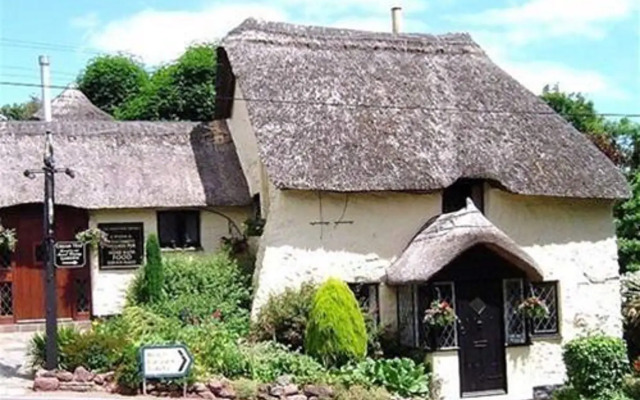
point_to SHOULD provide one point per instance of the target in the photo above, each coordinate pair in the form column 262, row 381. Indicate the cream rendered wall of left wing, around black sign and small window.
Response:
column 108, row 287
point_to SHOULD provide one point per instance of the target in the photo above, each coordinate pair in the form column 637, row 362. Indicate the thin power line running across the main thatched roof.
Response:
column 378, row 106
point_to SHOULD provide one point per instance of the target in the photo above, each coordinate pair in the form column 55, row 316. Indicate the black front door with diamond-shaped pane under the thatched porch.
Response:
column 480, row 337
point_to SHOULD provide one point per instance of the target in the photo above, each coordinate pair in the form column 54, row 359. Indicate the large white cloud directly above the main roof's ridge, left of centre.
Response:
column 160, row 36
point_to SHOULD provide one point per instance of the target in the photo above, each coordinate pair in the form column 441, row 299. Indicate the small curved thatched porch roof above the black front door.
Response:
column 449, row 236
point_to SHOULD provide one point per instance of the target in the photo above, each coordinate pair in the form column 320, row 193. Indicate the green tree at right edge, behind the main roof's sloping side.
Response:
column 620, row 141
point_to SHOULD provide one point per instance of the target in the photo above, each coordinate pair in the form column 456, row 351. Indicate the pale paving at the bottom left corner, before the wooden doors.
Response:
column 15, row 374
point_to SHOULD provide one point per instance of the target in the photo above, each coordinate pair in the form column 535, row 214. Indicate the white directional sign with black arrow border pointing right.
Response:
column 171, row 361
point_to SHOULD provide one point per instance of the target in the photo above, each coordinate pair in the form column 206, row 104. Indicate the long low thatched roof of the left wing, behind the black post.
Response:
column 125, row 164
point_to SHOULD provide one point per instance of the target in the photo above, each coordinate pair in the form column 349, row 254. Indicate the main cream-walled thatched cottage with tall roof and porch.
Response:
column 414, row 166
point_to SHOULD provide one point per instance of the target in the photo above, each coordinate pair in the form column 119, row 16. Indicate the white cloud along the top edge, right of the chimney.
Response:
column 543, row 19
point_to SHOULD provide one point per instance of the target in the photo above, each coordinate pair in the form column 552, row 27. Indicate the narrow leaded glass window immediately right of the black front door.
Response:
column 515, row 323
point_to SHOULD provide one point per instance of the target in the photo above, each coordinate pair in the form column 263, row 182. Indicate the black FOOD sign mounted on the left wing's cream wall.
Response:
column 125, row 246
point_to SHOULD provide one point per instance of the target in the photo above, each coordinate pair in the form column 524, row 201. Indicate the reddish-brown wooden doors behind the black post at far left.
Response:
column 72, row 285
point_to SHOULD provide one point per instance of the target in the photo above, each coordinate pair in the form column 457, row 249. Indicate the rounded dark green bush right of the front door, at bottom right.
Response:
column 596, row 365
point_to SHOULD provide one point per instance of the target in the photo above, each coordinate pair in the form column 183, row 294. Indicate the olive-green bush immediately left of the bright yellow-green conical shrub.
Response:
column 283, row 318
